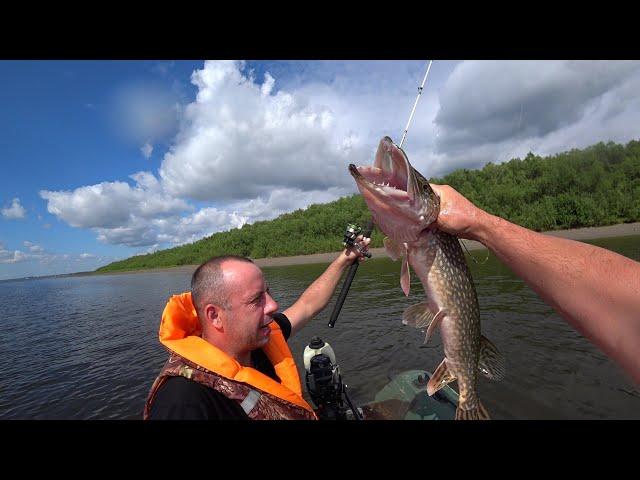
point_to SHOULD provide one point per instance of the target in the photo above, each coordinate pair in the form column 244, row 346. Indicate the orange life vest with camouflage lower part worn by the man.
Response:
column 180, row 333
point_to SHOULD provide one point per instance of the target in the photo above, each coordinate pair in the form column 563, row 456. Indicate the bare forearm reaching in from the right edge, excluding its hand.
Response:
column 595, row 290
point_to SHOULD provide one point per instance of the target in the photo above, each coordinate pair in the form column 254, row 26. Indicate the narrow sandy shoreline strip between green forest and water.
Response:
column 587, row 233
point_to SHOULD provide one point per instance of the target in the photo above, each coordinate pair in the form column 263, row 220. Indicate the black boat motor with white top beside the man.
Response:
column 324, row 383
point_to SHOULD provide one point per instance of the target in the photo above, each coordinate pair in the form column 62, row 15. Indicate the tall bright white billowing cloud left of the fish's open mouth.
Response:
column 240, row 141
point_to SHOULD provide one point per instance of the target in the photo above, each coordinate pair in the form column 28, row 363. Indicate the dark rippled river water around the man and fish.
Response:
column 87, row 347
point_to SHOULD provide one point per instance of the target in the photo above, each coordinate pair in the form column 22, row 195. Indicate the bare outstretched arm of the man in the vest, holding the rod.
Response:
column 316, row 297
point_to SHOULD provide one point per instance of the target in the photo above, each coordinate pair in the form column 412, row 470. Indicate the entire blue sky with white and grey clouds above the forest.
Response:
column 102, row 160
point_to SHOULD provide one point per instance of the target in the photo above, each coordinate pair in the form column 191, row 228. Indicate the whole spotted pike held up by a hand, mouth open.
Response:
column 404, row 206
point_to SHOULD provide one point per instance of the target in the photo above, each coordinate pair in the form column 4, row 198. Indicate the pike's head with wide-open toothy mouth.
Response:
column 400, row 199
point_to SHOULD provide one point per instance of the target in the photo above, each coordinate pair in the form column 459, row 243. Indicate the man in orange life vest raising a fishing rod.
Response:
column 227, row 342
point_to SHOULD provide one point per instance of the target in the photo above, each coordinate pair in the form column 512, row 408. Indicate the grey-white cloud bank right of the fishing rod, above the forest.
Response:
column 497, row 110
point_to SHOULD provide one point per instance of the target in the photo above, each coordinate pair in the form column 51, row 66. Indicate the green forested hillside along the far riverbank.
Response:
column 599, row 185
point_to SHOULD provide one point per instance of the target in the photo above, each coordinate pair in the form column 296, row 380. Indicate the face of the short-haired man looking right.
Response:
column 251, row 307
